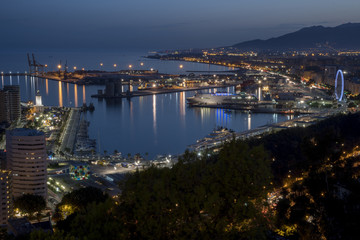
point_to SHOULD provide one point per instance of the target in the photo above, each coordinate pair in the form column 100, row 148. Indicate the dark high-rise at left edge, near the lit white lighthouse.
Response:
column 10, row 109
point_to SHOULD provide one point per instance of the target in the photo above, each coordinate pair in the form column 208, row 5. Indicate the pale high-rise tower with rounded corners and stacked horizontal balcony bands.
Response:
column 26, row 159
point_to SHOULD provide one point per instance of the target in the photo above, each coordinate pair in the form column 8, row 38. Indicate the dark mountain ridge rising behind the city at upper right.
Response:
column 345, row 36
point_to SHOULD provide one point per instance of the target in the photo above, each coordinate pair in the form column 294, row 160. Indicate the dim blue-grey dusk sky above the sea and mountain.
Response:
column 160, row 24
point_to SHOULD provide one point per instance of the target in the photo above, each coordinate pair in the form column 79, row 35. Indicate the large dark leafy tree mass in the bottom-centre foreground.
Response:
column 216, row 196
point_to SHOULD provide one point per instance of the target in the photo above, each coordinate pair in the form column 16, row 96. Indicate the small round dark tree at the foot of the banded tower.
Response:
column 30, row 204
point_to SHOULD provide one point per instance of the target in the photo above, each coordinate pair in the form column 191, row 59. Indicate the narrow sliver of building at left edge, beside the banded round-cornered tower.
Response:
column 5, row 196
